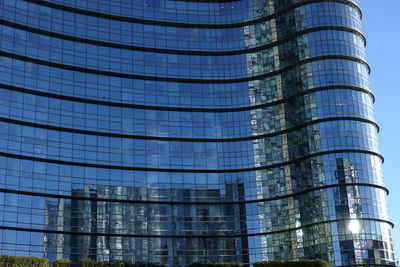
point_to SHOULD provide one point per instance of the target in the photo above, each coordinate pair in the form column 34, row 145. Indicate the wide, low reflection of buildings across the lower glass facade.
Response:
column 130, row 213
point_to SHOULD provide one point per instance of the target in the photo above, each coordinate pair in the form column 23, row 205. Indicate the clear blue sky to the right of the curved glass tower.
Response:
column 381, row 26
